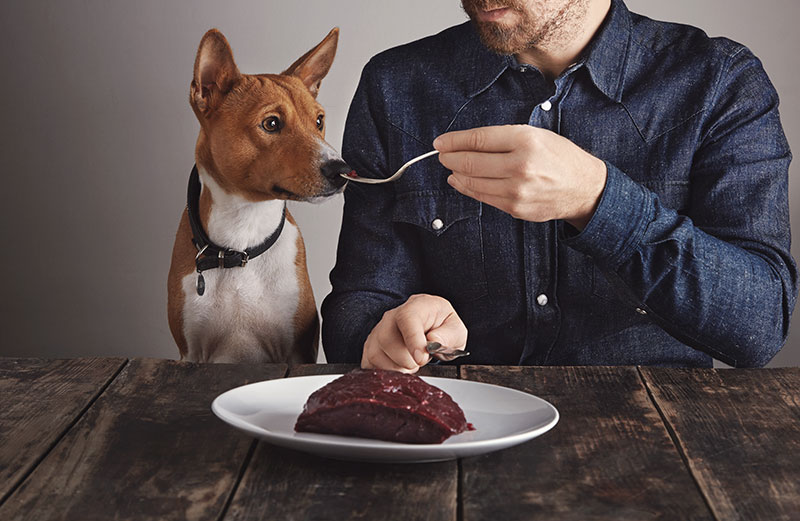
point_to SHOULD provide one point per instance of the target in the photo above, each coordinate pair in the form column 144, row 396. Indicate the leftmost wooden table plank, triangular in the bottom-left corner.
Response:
column 41, row 400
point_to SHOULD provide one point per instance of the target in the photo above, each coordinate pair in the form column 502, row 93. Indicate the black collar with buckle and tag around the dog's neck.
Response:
column 210, row 255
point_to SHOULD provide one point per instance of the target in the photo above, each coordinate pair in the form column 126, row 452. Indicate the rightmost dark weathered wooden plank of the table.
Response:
column 740, row 432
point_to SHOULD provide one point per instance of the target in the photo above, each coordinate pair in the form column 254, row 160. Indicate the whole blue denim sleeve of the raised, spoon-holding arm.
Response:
column 721, row 278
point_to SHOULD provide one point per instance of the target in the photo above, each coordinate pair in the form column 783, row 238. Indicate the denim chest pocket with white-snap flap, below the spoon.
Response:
column 447, row 226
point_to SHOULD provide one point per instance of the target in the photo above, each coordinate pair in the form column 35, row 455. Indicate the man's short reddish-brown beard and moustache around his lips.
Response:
column 530, row 30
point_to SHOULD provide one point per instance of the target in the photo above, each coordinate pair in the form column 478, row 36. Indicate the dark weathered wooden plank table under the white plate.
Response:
column 109, row 438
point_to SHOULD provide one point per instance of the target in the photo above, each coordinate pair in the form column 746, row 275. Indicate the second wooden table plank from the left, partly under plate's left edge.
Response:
column 149, row 448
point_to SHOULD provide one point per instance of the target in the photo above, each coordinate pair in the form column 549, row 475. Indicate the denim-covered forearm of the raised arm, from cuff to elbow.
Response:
column 731, row 299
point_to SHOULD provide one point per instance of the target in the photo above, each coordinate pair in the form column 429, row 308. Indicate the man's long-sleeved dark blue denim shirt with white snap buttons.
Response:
column 687, row 257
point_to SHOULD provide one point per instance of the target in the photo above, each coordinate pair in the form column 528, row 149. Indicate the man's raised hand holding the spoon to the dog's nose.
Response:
column 528, row 172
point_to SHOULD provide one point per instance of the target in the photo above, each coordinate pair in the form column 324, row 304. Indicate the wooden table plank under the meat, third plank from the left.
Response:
column 281, row 484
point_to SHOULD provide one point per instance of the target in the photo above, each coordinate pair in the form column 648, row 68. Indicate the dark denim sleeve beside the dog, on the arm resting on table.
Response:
column 377, row 264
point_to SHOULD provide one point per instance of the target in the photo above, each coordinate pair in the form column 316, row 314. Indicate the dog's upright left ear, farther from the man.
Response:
column 215, row 72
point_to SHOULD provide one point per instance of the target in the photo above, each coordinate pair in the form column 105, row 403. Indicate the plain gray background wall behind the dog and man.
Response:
column 97, row 140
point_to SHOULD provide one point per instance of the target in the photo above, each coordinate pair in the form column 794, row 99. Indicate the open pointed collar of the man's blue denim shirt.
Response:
column 605, row 57
